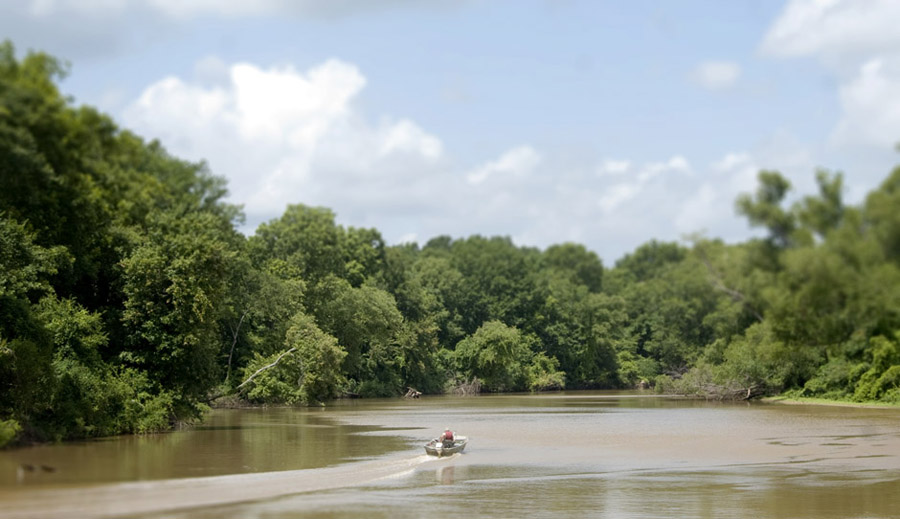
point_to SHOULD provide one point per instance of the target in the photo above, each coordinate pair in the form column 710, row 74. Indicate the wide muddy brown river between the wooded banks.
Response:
column 575, row 454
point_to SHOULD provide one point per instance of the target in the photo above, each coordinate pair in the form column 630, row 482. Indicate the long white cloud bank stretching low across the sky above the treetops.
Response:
column 284, row 135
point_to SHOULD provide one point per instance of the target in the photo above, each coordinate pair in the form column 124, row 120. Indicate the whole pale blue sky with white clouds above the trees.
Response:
column 601, row 122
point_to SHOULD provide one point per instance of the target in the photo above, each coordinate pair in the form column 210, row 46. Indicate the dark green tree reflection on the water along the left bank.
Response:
column 229, row 442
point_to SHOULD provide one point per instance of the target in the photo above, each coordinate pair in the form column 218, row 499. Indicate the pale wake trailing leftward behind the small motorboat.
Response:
column 148, row 497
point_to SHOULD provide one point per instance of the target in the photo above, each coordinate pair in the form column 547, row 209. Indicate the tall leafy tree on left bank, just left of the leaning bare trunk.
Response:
column 174, row 284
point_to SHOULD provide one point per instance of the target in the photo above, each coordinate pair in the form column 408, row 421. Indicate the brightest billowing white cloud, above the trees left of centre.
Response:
column 284, row 136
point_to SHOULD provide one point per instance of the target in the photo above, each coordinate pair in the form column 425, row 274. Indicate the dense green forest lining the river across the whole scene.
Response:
column 129, row 301
